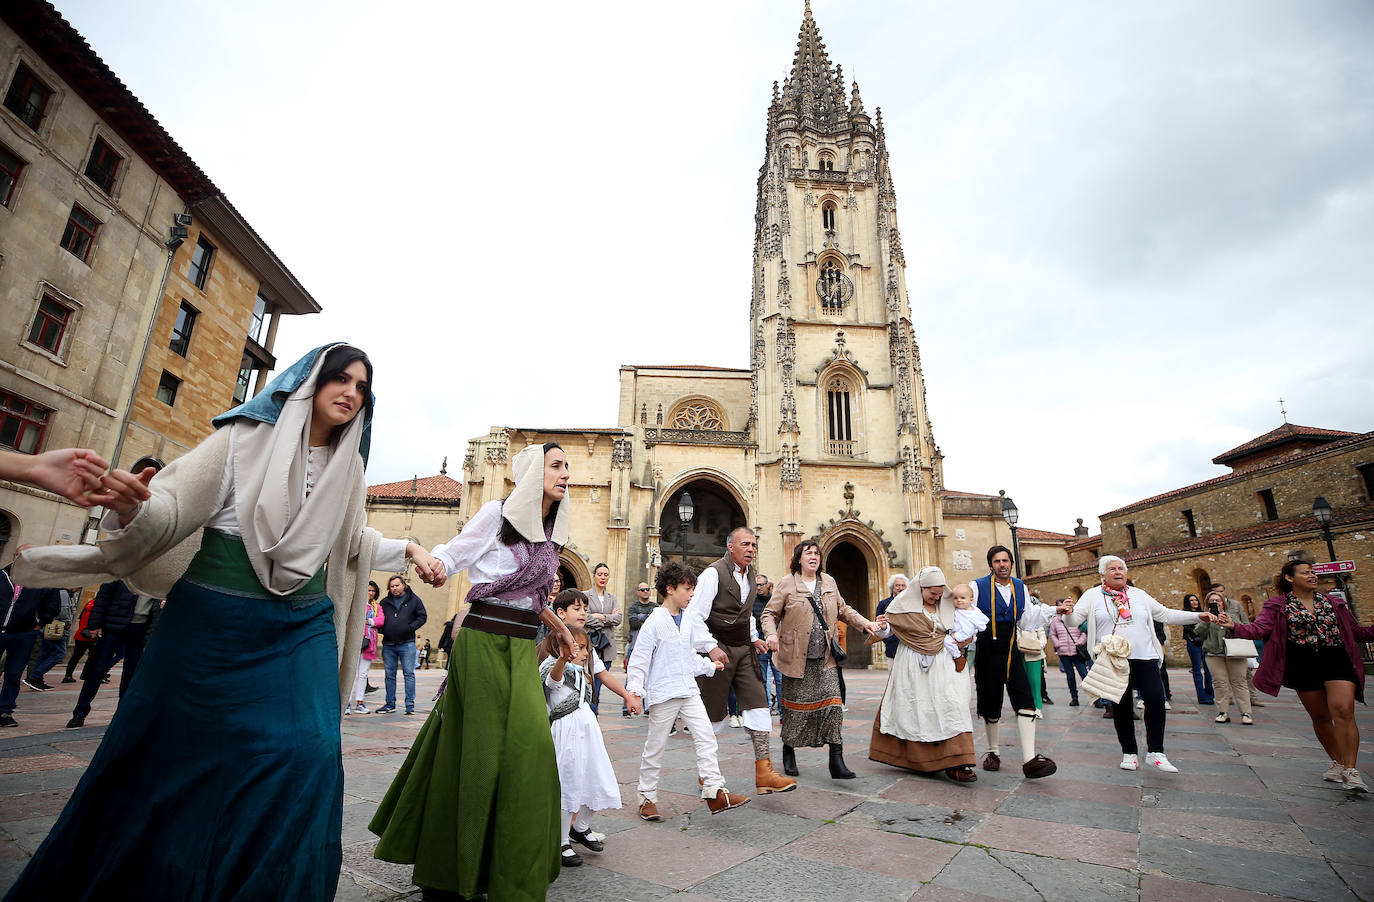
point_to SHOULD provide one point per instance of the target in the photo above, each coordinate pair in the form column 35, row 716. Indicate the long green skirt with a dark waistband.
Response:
column 476, row 805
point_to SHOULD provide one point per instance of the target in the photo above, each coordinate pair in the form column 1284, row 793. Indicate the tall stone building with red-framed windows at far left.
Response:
column 139, row 302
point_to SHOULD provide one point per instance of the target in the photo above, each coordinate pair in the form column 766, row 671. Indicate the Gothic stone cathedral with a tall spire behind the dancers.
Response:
column 826, row 434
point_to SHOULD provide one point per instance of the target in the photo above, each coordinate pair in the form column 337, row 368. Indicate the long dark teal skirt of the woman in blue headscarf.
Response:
column 221, row 776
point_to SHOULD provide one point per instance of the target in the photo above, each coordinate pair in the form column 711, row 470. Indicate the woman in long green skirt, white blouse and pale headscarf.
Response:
column 476, row 805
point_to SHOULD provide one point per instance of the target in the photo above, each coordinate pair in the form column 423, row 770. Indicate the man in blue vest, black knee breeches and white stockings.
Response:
column 998, row 663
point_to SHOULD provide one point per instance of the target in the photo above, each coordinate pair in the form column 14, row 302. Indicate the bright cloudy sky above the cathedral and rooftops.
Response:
column 1130, row 229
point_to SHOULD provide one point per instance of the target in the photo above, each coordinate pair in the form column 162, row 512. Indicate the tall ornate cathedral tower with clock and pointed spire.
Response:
column 846, row 446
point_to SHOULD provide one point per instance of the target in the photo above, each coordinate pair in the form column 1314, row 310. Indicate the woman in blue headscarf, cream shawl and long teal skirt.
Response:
column 221, row 776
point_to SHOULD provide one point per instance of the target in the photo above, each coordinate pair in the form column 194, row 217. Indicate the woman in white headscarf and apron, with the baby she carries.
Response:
column 924, row 723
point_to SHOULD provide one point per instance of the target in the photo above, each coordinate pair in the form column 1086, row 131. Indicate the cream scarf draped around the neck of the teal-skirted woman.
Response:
column 286, row 536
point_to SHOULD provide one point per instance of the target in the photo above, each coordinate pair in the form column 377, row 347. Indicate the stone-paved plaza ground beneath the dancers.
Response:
column 1248, row 817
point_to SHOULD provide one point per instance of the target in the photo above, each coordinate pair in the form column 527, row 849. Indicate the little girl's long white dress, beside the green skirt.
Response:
column 585, row 772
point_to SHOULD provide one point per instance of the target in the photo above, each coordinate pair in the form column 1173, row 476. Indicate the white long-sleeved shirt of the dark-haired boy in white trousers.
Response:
column 668, row 659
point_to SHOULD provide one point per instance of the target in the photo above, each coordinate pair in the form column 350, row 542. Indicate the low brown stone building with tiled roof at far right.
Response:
column 1241, row 527
